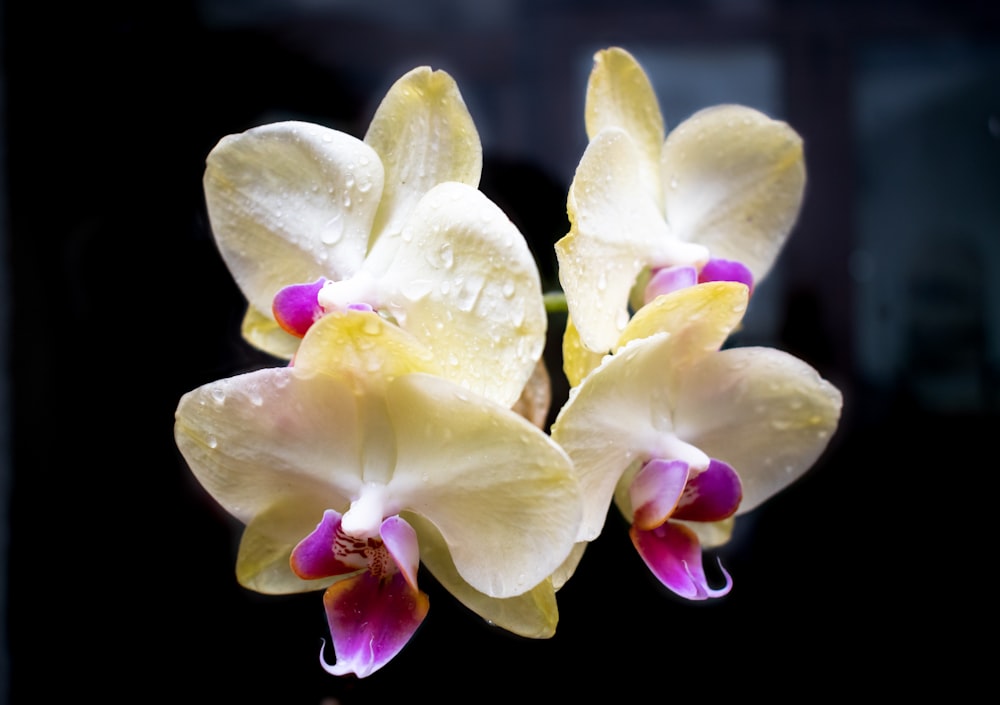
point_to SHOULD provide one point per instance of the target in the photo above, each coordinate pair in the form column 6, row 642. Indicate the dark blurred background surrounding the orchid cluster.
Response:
column 118, row 569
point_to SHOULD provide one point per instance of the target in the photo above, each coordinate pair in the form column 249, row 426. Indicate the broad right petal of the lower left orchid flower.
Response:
column 501, row 493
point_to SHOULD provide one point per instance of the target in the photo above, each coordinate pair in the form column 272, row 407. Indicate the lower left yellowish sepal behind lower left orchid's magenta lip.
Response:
column 262, row 563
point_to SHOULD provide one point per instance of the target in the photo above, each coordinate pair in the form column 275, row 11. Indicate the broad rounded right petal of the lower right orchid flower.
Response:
column 764, row 412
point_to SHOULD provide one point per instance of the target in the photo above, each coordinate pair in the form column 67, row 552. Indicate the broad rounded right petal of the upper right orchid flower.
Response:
column 734, row 181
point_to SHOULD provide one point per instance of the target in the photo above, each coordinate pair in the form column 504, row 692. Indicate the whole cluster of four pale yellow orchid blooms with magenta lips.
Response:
column 409, row 423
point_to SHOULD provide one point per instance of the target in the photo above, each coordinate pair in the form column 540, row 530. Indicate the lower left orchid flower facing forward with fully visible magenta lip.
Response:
column 360, row 461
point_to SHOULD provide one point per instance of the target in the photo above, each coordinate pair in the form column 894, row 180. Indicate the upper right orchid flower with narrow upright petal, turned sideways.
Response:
column 713, row 200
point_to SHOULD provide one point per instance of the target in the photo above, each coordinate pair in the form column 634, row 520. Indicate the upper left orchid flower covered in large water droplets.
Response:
column 311, row 220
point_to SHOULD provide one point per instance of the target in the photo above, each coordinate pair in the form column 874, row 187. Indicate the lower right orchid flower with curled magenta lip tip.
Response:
column 683, row 436
